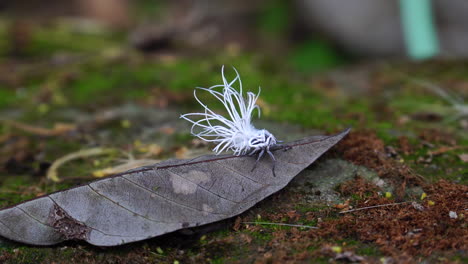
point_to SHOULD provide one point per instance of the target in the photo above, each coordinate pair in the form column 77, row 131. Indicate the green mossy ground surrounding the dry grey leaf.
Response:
column 97, row 73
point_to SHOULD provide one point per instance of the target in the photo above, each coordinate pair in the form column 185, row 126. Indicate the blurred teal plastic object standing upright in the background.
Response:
column 419, row 29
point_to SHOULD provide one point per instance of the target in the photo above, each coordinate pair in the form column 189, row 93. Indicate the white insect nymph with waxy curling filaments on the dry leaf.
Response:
column 234, row 132
